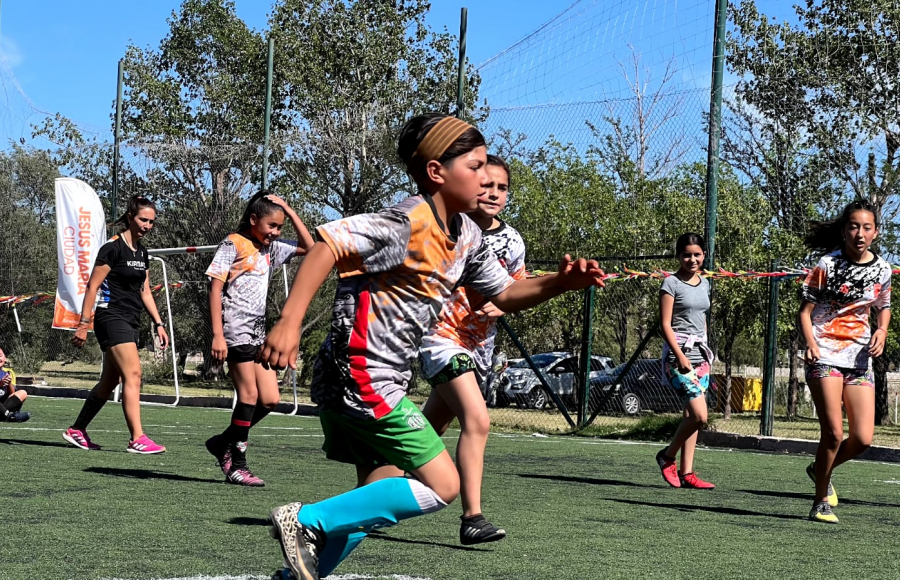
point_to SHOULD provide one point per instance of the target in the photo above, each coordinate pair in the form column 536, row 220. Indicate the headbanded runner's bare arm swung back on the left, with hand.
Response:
column 283, row 342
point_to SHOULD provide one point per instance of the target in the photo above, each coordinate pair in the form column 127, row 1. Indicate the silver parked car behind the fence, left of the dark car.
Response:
column 521, row 386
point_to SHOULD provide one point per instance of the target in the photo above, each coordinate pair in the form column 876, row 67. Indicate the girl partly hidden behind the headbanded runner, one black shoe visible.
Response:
column 456, row 356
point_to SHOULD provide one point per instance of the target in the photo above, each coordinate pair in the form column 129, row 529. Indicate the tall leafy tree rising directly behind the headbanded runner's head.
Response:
column 351, row 73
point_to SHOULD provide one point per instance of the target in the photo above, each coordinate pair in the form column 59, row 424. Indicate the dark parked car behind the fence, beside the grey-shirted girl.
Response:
column 642, row 389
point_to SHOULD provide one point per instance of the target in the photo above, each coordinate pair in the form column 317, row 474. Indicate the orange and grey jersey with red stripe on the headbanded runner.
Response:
column 397, row 269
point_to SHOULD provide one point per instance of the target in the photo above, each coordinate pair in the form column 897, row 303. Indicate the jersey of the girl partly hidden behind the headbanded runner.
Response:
column 460, row 329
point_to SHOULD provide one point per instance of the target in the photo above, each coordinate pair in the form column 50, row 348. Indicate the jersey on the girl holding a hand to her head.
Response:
column 246, row 270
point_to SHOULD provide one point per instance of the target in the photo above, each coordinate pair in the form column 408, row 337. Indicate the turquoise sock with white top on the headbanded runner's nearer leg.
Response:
column 378, row 505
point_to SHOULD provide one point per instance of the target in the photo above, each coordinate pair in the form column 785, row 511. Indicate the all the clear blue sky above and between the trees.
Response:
column 63, row 54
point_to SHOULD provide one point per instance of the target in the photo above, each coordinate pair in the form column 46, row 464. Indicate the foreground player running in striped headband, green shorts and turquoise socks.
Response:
column 397, row 268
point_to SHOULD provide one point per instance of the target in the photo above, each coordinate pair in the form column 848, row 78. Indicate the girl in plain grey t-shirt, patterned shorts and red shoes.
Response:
column 683, row 306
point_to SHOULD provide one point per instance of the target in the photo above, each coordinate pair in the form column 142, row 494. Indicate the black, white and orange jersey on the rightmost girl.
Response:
column 843, row 292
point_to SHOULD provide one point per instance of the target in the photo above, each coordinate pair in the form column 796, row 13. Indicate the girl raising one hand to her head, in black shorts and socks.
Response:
column 239, row 285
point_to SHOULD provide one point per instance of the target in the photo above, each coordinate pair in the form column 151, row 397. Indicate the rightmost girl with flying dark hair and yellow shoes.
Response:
column 848, row 282
